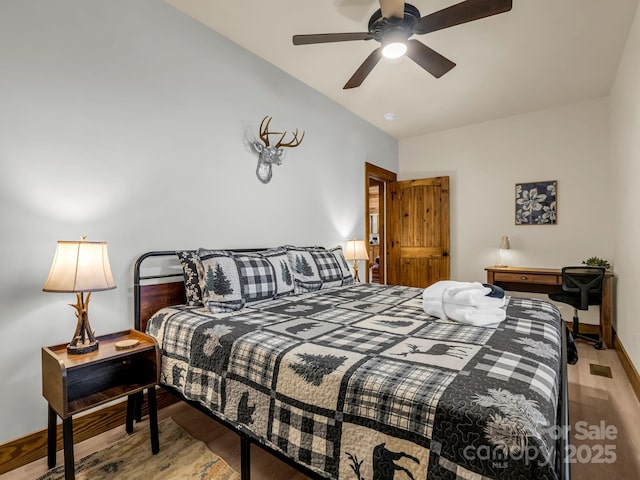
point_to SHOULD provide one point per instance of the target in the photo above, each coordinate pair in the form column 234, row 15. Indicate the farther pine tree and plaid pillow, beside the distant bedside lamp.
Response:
column 314, row 268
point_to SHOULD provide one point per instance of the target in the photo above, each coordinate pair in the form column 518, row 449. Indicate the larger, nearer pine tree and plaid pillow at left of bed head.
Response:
column 233, row 280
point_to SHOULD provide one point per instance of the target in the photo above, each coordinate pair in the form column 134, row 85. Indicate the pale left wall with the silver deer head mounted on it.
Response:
column 125, row 121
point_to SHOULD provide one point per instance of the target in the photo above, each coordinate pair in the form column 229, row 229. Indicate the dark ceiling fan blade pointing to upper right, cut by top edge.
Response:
column 461, row 13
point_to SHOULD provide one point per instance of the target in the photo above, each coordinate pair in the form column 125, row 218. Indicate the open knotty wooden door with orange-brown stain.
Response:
column 418, row 233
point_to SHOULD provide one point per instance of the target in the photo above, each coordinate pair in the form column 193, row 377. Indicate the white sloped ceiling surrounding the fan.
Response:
column 543, row 53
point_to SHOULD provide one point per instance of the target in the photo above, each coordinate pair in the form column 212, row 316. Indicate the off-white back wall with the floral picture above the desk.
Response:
column 569, row 144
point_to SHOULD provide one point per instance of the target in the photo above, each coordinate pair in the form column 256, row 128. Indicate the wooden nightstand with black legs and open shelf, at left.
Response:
column 74, row 383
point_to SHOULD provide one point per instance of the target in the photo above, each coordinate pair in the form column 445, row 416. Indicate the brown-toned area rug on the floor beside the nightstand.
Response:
column 181, row 457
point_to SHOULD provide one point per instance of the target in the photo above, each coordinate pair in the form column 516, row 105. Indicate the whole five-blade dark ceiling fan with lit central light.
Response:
column 396, row 22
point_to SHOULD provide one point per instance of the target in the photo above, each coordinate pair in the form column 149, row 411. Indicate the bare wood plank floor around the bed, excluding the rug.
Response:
column 593, row 400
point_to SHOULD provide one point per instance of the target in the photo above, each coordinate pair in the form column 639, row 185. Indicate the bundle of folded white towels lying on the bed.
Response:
column 464, row 302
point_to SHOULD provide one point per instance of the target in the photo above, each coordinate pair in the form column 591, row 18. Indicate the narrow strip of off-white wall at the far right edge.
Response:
column 625, row 152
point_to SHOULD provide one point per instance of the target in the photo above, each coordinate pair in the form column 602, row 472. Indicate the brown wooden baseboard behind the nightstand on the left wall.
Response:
column 24, row 450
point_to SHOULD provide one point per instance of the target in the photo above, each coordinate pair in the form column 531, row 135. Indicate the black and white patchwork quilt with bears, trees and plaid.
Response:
column 359, row 383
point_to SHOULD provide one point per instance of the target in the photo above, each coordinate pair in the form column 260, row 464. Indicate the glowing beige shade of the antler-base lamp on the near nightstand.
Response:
column 80, row 266
